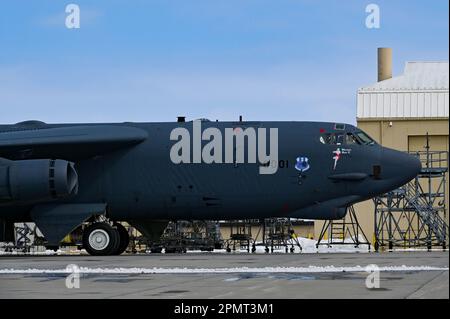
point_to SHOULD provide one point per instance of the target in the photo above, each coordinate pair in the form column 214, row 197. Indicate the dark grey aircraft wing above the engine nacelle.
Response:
column 68, row 142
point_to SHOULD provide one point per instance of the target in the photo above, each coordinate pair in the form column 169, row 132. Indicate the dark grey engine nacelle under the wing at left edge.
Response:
column 37, row 180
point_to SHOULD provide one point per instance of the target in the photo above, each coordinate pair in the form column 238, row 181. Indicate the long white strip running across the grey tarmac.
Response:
column 311, row 269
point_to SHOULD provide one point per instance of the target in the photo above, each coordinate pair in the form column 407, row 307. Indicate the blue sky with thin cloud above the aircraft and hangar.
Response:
column 153, row 60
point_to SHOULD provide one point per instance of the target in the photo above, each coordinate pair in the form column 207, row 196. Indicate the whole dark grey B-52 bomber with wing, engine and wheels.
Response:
column 63, row 176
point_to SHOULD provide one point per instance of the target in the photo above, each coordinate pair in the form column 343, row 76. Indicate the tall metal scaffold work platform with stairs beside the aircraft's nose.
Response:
column 415, row 215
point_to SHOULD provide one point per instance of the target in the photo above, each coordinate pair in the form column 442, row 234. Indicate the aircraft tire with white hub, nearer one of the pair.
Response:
column 101, row 239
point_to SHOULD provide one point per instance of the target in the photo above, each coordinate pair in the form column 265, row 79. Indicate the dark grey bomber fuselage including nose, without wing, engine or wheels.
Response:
column 140, row 181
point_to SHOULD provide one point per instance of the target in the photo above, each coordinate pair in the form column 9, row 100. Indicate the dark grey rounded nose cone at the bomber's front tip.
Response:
column 400, row 167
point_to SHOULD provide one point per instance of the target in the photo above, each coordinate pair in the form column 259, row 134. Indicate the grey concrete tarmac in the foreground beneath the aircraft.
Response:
column 351, row 284
